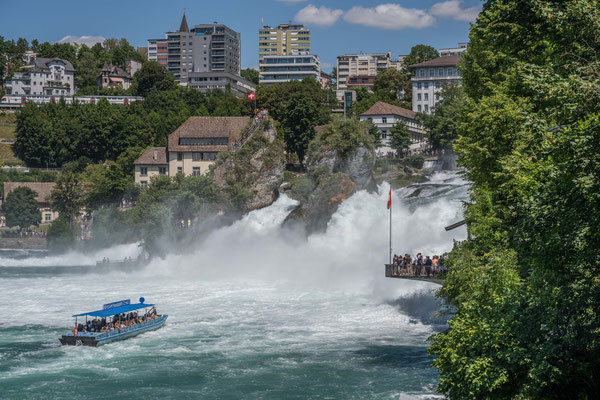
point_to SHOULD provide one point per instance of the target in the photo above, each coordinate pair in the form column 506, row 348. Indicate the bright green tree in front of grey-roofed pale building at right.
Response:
column 442, row 125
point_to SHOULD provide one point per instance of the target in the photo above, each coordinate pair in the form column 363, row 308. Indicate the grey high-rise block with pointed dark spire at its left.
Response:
column 205, row 48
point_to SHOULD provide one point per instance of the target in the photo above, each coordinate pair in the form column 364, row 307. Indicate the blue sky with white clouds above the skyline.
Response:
column 337, row 26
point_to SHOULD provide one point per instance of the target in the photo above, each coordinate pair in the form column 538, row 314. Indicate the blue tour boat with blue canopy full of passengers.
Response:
column 111, row 314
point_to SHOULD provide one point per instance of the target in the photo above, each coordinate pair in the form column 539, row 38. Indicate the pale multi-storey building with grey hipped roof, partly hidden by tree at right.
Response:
column 428, row 78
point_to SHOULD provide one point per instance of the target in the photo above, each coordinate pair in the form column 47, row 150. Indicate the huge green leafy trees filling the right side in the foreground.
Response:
column 525, row 287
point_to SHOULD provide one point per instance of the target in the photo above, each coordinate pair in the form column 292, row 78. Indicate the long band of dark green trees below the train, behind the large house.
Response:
column 55, row 134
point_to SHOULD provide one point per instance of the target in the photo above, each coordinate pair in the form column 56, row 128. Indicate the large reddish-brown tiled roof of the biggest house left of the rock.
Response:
column 208, row 127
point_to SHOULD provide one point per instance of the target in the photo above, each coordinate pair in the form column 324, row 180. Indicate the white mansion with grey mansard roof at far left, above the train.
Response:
column 43, row 76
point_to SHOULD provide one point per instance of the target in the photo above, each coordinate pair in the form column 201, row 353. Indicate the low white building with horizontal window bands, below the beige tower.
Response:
column 280, row 69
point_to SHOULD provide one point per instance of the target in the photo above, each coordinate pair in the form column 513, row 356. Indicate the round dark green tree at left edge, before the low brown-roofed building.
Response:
column 21, row 208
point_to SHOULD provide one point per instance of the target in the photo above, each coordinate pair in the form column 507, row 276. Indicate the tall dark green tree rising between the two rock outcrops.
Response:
column 299, row 123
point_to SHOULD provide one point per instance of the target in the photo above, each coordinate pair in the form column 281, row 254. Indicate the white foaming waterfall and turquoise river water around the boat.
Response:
column 254, row 311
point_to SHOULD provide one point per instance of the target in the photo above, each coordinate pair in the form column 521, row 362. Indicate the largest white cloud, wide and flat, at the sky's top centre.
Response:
column 389, row 16
